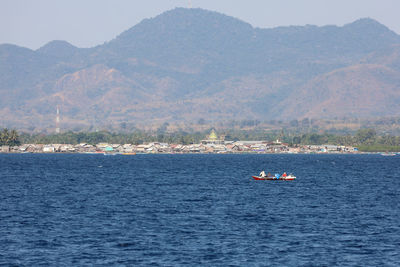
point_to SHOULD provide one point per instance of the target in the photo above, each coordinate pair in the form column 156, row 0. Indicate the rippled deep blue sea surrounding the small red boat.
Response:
column 199, row 210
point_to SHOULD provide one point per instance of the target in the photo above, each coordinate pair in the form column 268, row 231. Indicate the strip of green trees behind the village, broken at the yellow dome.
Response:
column 364, row 139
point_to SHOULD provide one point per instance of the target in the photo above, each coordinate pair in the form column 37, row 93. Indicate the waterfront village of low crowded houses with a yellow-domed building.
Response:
column 212, row 144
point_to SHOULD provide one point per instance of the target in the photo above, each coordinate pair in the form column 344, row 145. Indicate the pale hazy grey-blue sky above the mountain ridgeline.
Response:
column 87, row 23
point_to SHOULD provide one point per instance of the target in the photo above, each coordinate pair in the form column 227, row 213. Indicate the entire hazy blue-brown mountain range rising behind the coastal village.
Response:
column 188, row 64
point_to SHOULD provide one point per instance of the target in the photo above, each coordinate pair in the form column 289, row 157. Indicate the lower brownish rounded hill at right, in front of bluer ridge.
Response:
column 363, row 90
